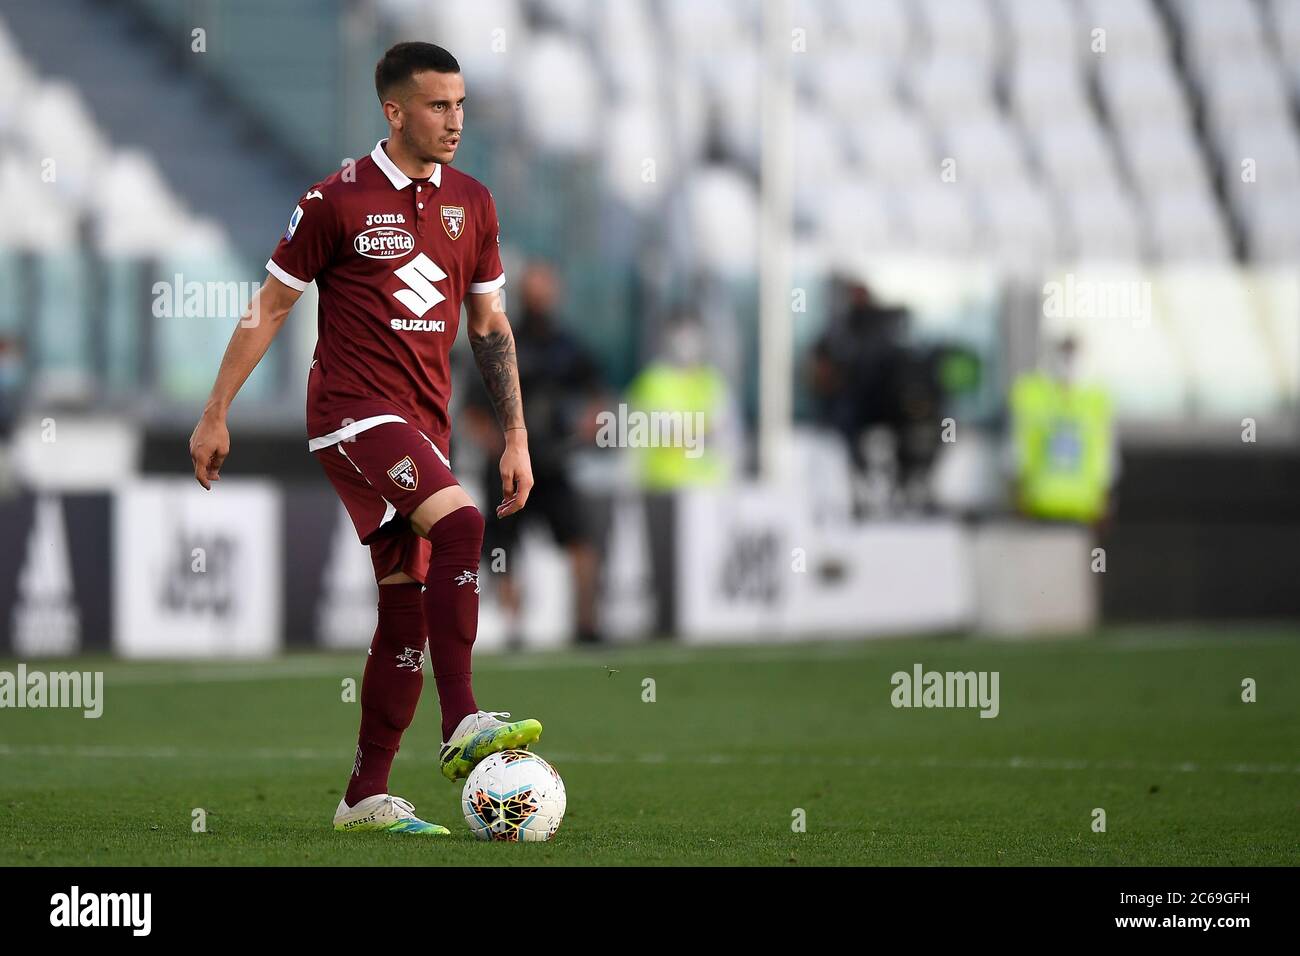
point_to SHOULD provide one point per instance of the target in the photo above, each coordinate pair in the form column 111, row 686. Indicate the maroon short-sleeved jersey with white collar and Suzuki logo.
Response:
column 393, row 261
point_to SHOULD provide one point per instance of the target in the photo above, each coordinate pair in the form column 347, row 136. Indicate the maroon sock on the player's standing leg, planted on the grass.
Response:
column 391, row 689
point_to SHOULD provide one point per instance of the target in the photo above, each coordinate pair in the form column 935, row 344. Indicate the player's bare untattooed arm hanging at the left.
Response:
column 266, row 315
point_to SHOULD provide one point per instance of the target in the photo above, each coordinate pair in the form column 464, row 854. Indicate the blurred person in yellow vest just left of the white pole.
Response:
column 681, row 382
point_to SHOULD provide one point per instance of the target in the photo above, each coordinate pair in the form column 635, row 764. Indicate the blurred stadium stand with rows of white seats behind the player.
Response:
column 1026, row 140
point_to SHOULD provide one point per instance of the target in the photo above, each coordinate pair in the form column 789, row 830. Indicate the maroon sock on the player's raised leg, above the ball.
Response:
column 452, row 609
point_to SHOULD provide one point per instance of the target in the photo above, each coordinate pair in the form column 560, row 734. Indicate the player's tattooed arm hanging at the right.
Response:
column 493, row 344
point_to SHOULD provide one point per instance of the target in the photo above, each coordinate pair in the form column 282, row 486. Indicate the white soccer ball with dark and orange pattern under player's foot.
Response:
column 514, row 795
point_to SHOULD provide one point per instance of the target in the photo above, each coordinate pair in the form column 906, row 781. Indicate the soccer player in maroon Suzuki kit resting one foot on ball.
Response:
column 396, row 245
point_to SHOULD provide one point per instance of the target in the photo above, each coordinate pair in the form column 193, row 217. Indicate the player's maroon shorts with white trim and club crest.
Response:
column 383, row 475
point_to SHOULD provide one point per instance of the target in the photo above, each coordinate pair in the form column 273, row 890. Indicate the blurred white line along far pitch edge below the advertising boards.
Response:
column 119, row 674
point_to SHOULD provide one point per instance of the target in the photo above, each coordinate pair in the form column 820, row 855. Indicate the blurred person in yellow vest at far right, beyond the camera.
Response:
column 1064, row 439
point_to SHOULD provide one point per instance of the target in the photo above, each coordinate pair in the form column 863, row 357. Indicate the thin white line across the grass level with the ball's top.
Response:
column 97, row 752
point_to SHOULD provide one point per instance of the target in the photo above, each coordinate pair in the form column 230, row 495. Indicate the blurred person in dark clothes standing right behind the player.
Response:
column 565, row 392
